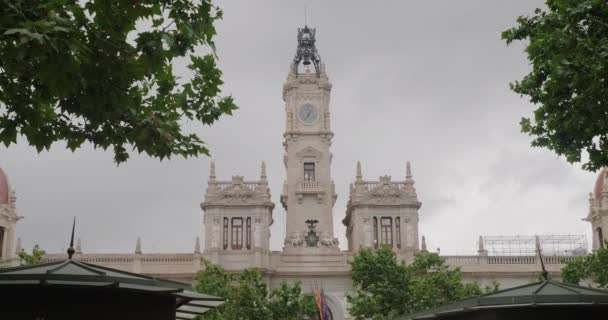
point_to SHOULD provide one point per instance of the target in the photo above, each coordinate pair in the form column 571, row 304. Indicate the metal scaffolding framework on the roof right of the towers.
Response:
column 551, row 245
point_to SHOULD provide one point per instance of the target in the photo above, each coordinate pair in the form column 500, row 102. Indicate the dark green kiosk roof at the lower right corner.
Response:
column 545, row 293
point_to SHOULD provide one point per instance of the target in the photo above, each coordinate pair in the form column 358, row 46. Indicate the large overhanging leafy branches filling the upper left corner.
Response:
column 102, row 72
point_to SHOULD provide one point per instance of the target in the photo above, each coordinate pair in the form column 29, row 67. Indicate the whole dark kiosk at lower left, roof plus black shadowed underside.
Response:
column 75, row 280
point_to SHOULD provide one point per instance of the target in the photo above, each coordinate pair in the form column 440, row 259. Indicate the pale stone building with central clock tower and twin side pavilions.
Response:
column 238, row 212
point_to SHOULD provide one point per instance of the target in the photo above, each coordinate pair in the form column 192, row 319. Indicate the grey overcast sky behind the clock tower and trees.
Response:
column 425, row 81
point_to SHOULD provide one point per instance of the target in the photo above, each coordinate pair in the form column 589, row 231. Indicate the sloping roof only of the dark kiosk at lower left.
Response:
column 74, row 273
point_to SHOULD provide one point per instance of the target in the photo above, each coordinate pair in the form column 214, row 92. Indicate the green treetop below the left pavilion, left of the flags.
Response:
column 248, row 297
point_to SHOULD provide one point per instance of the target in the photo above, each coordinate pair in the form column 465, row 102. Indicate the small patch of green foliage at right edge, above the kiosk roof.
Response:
column 592, row 267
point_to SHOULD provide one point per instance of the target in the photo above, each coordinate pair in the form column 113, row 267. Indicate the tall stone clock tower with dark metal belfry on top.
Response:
column 308, row 192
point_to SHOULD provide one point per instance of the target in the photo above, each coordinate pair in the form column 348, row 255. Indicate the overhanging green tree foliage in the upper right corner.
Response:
column 567, row 46
